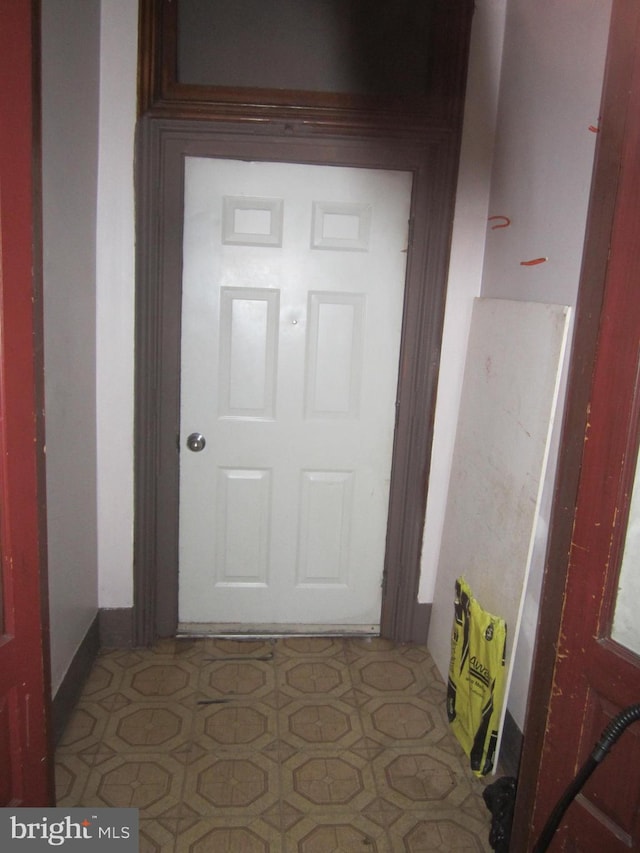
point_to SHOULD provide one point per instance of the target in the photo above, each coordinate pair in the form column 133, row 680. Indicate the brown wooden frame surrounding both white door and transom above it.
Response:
column 421, row 136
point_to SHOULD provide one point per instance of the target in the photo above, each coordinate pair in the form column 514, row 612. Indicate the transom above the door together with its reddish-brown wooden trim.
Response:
column 337, row 62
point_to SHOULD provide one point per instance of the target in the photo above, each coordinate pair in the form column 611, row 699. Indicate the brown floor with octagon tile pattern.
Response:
column 298, row 745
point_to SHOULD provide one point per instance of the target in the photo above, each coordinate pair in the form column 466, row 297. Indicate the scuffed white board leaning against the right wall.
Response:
column 509, row 396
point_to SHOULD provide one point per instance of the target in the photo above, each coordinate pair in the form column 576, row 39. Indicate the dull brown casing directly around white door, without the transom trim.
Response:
column 163, row 144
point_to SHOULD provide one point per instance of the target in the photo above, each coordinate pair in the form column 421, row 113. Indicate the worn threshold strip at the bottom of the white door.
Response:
column 235, row 630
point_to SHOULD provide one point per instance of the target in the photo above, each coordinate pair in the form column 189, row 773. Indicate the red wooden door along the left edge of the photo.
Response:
column 26, row 758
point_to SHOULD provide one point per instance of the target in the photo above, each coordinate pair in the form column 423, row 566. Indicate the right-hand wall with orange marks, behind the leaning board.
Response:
column 551, row 83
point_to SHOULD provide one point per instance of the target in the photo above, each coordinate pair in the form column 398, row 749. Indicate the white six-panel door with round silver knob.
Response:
column 293, row 284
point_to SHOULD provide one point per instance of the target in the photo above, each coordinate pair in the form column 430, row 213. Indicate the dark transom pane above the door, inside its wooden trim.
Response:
column 346, row 47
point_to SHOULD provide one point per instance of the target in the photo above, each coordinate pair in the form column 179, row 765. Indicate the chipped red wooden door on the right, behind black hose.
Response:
column 596, row 677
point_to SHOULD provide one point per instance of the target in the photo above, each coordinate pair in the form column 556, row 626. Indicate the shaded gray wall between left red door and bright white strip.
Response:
column 70, row 50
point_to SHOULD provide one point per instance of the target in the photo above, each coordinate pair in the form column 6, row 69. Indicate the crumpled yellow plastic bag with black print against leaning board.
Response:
column 475, row 689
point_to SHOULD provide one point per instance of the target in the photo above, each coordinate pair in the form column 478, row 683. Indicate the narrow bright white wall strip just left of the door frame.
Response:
column 115, row 301
